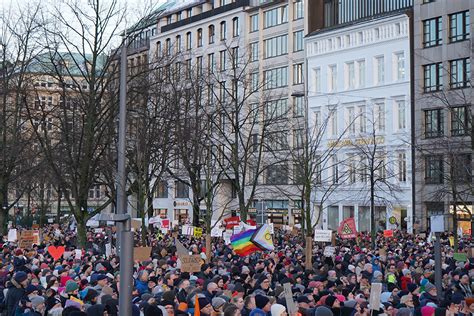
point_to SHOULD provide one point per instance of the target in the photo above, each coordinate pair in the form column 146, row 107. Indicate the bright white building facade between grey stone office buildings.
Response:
column 358, row 94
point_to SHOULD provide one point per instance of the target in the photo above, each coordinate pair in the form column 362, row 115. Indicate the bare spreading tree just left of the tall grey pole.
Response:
column 82, row 121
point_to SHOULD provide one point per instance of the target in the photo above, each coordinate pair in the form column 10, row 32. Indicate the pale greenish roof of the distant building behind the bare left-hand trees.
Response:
column 75, row 63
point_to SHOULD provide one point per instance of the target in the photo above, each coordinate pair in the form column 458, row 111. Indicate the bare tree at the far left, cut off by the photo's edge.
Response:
column 19, row 44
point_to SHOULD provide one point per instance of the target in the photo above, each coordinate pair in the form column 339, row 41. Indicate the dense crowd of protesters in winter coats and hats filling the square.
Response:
column 33, row 283
